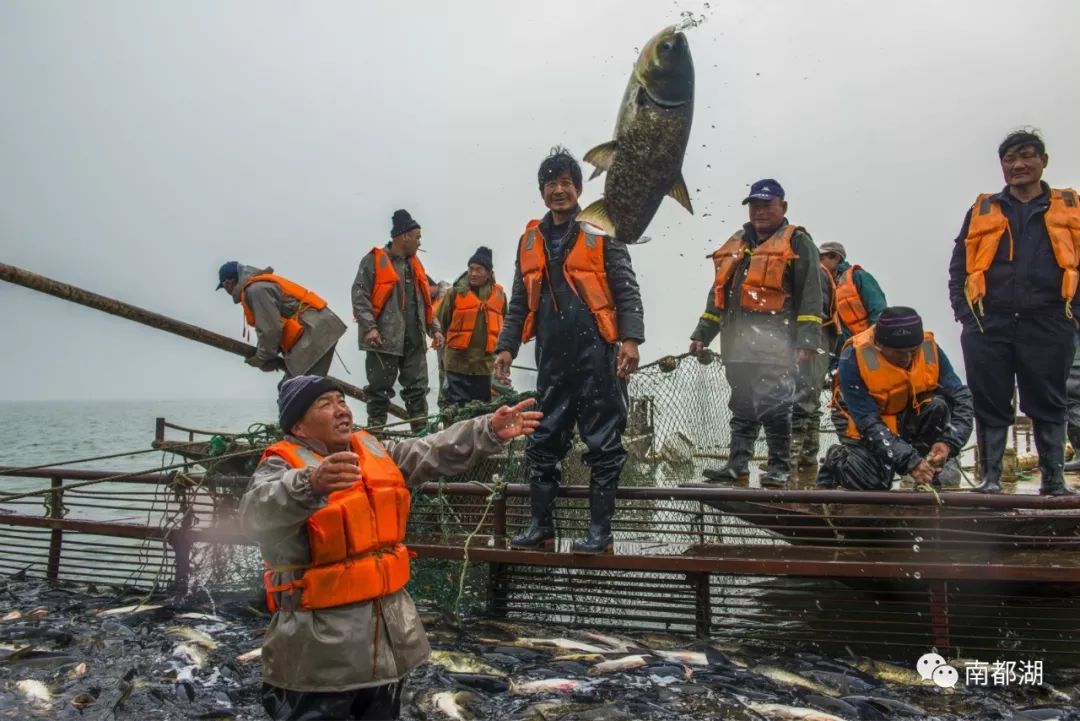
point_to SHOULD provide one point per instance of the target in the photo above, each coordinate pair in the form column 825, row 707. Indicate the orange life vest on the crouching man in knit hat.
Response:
column 895, row 390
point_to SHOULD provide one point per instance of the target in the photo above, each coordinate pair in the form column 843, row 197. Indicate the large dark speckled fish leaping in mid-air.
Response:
column 644, row 161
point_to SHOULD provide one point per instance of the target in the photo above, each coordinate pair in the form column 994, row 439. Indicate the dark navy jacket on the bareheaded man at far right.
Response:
column 1029, row 284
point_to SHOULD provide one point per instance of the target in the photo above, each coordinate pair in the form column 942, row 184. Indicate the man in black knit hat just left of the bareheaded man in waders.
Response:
column 471, row 314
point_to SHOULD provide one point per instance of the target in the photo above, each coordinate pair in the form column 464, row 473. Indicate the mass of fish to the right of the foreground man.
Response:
column 499, row 671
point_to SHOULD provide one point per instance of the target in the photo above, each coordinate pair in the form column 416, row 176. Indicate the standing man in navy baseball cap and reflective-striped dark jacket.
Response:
column 766, row 305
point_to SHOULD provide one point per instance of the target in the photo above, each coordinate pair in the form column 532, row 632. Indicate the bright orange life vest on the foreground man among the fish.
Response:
column 357, row 539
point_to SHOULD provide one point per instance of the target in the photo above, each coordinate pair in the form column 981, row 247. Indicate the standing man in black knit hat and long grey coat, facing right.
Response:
column 391, row 304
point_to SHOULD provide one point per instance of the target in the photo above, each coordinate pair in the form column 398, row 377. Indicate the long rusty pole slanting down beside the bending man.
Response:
column 75, row 295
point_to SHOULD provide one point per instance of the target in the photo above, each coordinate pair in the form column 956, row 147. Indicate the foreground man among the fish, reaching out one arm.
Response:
column 328, row 507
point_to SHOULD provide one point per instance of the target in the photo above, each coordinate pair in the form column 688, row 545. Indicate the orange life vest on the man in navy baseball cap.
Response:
column 763, row 291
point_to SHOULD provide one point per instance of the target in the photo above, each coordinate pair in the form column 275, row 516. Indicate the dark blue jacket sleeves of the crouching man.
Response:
column 888, row 446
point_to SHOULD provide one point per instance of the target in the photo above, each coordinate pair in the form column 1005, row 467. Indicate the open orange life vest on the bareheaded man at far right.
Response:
column 989, row 224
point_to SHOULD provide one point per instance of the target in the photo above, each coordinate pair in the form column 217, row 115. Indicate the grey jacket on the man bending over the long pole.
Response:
column 321, row 329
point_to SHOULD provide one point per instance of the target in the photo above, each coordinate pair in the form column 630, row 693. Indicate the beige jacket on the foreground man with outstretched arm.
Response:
column 360, row 645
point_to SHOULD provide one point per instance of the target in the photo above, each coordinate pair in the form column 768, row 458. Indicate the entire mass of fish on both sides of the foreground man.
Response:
column 79, row 652
